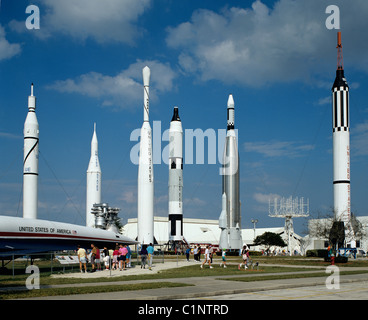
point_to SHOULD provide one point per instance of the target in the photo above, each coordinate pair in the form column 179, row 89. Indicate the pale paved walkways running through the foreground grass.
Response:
column 205, row 287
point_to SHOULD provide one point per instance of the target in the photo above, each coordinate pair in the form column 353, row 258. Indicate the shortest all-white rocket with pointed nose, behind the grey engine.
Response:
column 93, row 193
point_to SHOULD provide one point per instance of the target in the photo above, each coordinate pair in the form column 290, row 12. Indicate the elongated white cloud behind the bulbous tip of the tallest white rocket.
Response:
column 122, row 89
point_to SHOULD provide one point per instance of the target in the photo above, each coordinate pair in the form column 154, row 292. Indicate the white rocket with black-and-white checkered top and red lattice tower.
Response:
column 341, row 141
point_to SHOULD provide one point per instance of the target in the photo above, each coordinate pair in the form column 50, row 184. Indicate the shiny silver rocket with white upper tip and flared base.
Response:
column 230, row 218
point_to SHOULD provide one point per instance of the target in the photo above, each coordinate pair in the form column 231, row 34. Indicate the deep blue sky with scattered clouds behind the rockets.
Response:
column 277, row 58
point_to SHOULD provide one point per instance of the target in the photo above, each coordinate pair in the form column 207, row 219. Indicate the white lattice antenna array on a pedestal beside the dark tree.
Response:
column 288, row 208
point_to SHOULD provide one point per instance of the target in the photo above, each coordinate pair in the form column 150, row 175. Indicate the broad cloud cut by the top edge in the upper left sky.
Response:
column 104, row 21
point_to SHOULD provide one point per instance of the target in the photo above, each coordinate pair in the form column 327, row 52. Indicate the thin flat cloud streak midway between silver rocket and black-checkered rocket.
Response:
column 278, row 148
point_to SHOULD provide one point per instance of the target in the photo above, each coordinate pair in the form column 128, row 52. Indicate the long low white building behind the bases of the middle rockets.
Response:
column 202, row 231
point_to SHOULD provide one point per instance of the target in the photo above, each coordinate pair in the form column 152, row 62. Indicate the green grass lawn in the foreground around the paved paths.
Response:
column 192, row 270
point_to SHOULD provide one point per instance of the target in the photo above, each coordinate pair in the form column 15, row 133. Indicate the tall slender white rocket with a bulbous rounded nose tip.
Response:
column 145, row 172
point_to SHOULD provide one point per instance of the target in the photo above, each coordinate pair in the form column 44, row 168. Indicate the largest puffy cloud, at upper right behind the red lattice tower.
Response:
column 262, row 45
